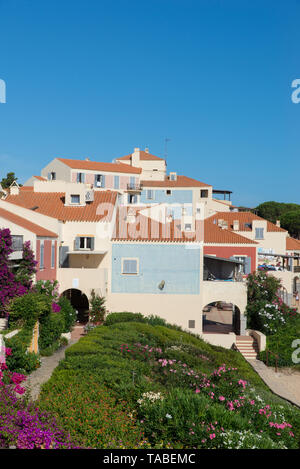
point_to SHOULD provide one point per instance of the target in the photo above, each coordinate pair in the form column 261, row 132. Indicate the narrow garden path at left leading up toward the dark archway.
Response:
column 44, row 372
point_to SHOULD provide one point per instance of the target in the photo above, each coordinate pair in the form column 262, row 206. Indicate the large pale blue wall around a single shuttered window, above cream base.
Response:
column 178, row 266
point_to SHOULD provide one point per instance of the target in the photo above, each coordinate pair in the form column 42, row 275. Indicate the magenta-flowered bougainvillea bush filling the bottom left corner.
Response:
column 24, row 426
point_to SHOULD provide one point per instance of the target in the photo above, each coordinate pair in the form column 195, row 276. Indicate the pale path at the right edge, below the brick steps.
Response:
column 285, row 383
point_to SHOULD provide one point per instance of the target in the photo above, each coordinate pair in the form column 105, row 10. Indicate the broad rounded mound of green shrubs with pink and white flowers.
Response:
column 180, row 391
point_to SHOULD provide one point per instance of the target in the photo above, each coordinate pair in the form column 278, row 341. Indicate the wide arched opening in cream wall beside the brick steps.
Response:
column 220, row 317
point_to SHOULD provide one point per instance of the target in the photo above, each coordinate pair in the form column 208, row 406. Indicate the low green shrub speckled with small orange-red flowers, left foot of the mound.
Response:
column 86, row 409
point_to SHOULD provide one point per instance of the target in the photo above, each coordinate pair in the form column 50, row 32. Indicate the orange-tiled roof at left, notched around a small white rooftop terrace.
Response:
column 52, row 205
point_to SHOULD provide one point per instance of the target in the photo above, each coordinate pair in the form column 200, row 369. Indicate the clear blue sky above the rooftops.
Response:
column 97, row 78
